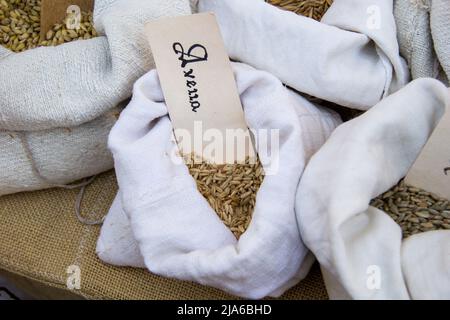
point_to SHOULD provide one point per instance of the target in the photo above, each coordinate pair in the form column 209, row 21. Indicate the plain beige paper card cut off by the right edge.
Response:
column 431, row 171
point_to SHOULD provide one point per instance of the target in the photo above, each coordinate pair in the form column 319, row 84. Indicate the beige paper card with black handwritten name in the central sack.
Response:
column 199, row 87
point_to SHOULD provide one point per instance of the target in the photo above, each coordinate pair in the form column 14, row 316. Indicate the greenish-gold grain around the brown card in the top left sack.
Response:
column 20, row 27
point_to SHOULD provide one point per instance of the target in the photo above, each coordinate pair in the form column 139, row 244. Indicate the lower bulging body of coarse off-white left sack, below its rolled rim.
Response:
column 43, row 159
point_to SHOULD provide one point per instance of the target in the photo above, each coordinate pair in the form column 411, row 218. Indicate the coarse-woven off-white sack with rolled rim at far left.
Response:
column 75, row 86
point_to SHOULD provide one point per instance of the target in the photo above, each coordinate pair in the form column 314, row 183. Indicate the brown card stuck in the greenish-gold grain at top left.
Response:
column 55, row 11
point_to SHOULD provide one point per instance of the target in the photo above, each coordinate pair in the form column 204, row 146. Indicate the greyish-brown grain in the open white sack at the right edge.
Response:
column 415, row 210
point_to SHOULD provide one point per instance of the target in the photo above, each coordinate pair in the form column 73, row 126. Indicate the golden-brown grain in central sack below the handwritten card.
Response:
column 230, row 190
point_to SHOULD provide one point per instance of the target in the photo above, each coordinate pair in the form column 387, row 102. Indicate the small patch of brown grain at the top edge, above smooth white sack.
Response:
column 314, row 9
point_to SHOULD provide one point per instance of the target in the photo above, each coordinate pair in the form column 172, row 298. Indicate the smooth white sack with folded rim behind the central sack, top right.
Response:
column 350, row 58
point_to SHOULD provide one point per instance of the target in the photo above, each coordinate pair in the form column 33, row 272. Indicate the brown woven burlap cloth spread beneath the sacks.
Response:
column 40, row 237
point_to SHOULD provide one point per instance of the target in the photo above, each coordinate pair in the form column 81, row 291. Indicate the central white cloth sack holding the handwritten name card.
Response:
column 177, row 233
